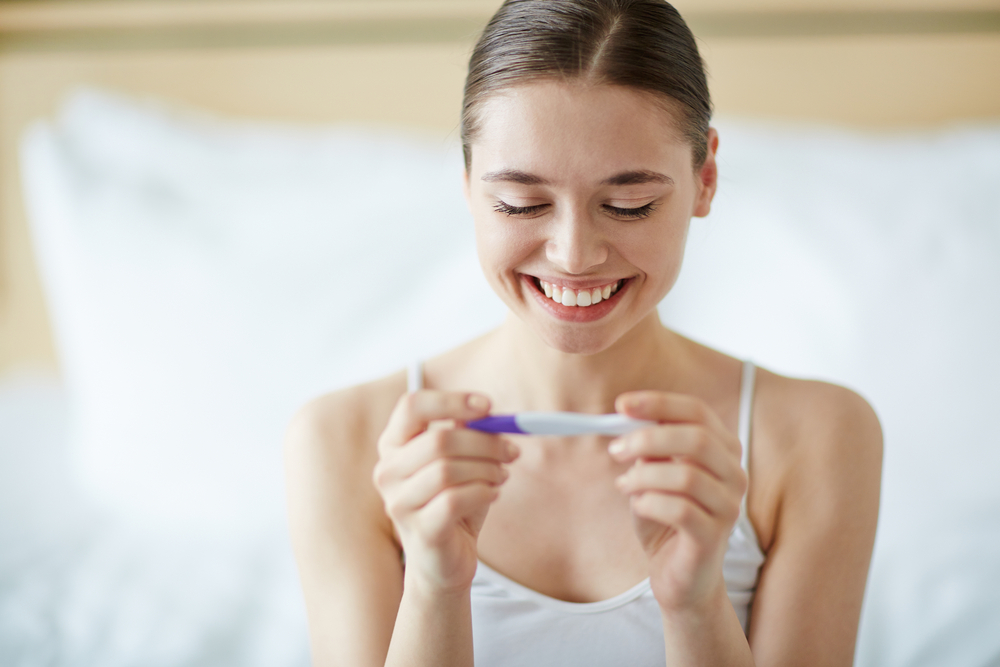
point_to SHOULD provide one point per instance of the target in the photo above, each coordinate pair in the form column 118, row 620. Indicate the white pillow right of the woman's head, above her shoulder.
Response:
column 869, row 260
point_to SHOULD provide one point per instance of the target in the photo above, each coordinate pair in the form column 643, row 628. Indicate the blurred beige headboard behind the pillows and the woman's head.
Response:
column 867, row 63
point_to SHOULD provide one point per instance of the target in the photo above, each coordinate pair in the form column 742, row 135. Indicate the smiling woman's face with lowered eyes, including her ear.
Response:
column 581, row 196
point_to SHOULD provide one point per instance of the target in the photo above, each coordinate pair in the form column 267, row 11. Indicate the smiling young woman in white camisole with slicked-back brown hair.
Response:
column 737, row 530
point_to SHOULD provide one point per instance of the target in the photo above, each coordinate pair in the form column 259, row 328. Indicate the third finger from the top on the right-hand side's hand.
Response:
column 714, row 497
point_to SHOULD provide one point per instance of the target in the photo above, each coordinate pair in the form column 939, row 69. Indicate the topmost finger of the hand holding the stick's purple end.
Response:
column 413, row 412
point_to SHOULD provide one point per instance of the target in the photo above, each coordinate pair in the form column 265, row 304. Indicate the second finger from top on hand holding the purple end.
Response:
column 452, row 444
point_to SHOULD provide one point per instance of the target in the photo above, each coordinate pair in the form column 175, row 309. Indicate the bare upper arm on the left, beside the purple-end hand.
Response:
column 348, row 561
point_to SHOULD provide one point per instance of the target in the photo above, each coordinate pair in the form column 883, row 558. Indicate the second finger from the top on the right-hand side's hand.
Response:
column 692, row 442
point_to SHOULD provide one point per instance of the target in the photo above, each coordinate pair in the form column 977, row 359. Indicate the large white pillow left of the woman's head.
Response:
column 206, row 278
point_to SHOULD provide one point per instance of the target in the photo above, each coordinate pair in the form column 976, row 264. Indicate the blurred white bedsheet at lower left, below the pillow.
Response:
column 79, row 588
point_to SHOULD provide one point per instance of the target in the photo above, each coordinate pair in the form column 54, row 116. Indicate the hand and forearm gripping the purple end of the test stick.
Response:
column 437, row 486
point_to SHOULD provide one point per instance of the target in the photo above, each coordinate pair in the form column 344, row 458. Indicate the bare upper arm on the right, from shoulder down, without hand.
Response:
column 808, row 601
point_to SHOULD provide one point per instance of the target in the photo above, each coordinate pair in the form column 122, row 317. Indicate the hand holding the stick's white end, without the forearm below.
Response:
column 685, row 486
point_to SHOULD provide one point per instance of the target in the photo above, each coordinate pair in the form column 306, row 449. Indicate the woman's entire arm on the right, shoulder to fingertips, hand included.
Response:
column 821, row 447
